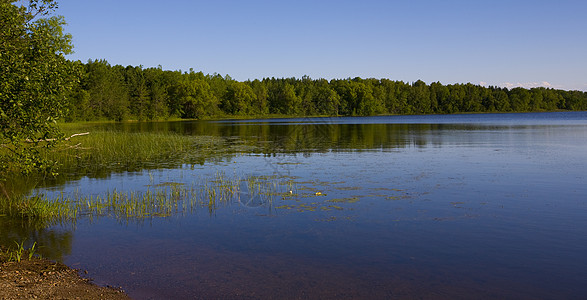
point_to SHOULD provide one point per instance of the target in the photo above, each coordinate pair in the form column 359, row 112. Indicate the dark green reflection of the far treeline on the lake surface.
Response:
column 335, row 134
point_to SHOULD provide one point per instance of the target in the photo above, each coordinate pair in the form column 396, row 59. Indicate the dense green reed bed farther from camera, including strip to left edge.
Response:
column 102, row 152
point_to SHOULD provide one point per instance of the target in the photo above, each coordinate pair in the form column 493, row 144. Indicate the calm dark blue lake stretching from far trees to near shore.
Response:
column 488, row 206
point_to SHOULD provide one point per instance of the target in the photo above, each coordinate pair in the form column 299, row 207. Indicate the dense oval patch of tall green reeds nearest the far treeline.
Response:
column 115, row 150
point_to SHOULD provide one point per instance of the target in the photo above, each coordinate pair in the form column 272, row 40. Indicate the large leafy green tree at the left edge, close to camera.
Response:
column 35, row 78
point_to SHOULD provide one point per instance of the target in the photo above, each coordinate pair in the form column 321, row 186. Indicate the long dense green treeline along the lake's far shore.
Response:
column 119, row 93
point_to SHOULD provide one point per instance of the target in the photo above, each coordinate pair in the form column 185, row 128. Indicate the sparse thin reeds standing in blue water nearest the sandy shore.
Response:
column 161, row 200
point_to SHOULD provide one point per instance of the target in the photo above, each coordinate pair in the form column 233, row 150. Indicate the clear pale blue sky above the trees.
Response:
column 503, row 43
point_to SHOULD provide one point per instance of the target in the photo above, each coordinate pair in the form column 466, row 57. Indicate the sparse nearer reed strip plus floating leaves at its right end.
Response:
column 166, row 199
